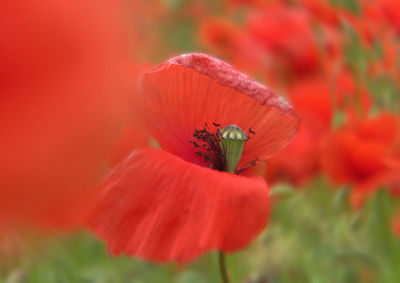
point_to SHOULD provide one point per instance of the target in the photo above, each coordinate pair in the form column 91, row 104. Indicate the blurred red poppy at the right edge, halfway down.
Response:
column 365, row 154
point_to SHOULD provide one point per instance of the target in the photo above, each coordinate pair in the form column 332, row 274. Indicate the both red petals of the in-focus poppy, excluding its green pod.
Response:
column 170, row 204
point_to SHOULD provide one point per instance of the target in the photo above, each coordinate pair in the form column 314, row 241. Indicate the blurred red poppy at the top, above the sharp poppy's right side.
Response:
column 289, row 38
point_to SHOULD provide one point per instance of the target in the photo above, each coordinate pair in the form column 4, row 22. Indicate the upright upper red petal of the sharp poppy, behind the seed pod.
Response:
column 190, row 90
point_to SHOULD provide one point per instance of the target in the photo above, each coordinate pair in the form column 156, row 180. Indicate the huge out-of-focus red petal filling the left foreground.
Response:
column 64, row 98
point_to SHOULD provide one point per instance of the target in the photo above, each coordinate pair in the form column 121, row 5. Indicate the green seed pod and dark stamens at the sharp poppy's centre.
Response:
column 222, row 148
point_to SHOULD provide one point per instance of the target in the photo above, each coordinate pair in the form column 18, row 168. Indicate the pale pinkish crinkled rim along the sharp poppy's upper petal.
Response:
column 228, row 76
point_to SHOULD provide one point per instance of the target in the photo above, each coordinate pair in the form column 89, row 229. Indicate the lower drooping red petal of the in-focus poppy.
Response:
column 157, row 206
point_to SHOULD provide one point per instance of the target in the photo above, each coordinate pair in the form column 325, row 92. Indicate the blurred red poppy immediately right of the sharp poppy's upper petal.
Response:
column 299, row 162
